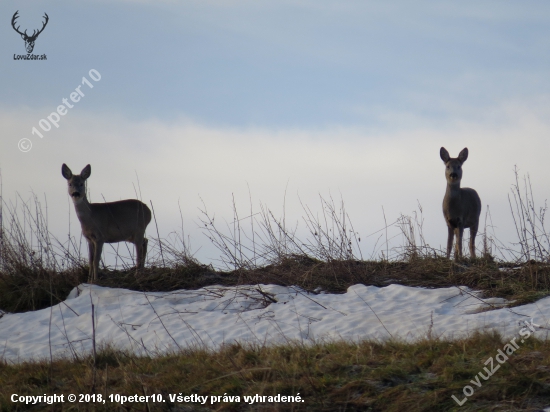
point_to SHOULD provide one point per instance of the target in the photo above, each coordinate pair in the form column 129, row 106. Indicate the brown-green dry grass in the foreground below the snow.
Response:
column 330, row 376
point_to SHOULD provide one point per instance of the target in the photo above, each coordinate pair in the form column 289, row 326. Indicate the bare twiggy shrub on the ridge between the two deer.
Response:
column 268, row 239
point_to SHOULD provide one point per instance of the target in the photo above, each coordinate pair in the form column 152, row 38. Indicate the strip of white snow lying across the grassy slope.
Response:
column 263, row 314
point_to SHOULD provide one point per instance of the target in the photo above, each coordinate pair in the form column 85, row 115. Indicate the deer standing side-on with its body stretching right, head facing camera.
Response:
column 109, row 222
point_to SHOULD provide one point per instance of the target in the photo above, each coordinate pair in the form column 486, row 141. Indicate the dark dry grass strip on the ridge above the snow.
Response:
column 524, row 283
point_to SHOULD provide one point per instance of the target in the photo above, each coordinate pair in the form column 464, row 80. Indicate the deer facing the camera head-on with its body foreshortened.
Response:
column 461, row 206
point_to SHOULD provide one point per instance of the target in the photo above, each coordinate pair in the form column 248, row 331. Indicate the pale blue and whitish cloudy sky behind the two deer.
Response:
column 210, row 99
